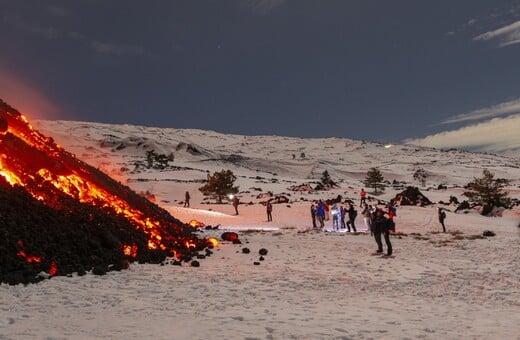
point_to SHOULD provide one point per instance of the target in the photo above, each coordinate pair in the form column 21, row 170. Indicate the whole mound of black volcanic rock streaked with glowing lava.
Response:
column 58, row 215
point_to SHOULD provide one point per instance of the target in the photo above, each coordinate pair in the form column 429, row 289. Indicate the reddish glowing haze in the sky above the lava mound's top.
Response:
column 18, row 93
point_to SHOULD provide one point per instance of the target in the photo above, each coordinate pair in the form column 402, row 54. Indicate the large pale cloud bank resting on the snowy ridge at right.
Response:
column 499, row 135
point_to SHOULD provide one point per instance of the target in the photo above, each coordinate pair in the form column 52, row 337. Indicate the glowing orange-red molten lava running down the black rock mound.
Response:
column 50, row 174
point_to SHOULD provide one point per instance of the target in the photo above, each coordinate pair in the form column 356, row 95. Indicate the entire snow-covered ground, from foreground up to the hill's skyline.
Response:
column 311, row 285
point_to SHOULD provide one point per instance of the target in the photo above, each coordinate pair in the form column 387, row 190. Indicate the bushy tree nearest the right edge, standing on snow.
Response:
column 487, row 192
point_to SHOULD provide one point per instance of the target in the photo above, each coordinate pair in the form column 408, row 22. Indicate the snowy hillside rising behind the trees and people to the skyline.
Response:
column 286, row 161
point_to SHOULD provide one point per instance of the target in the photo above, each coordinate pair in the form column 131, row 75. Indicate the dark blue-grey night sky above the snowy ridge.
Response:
column 376, row 70
